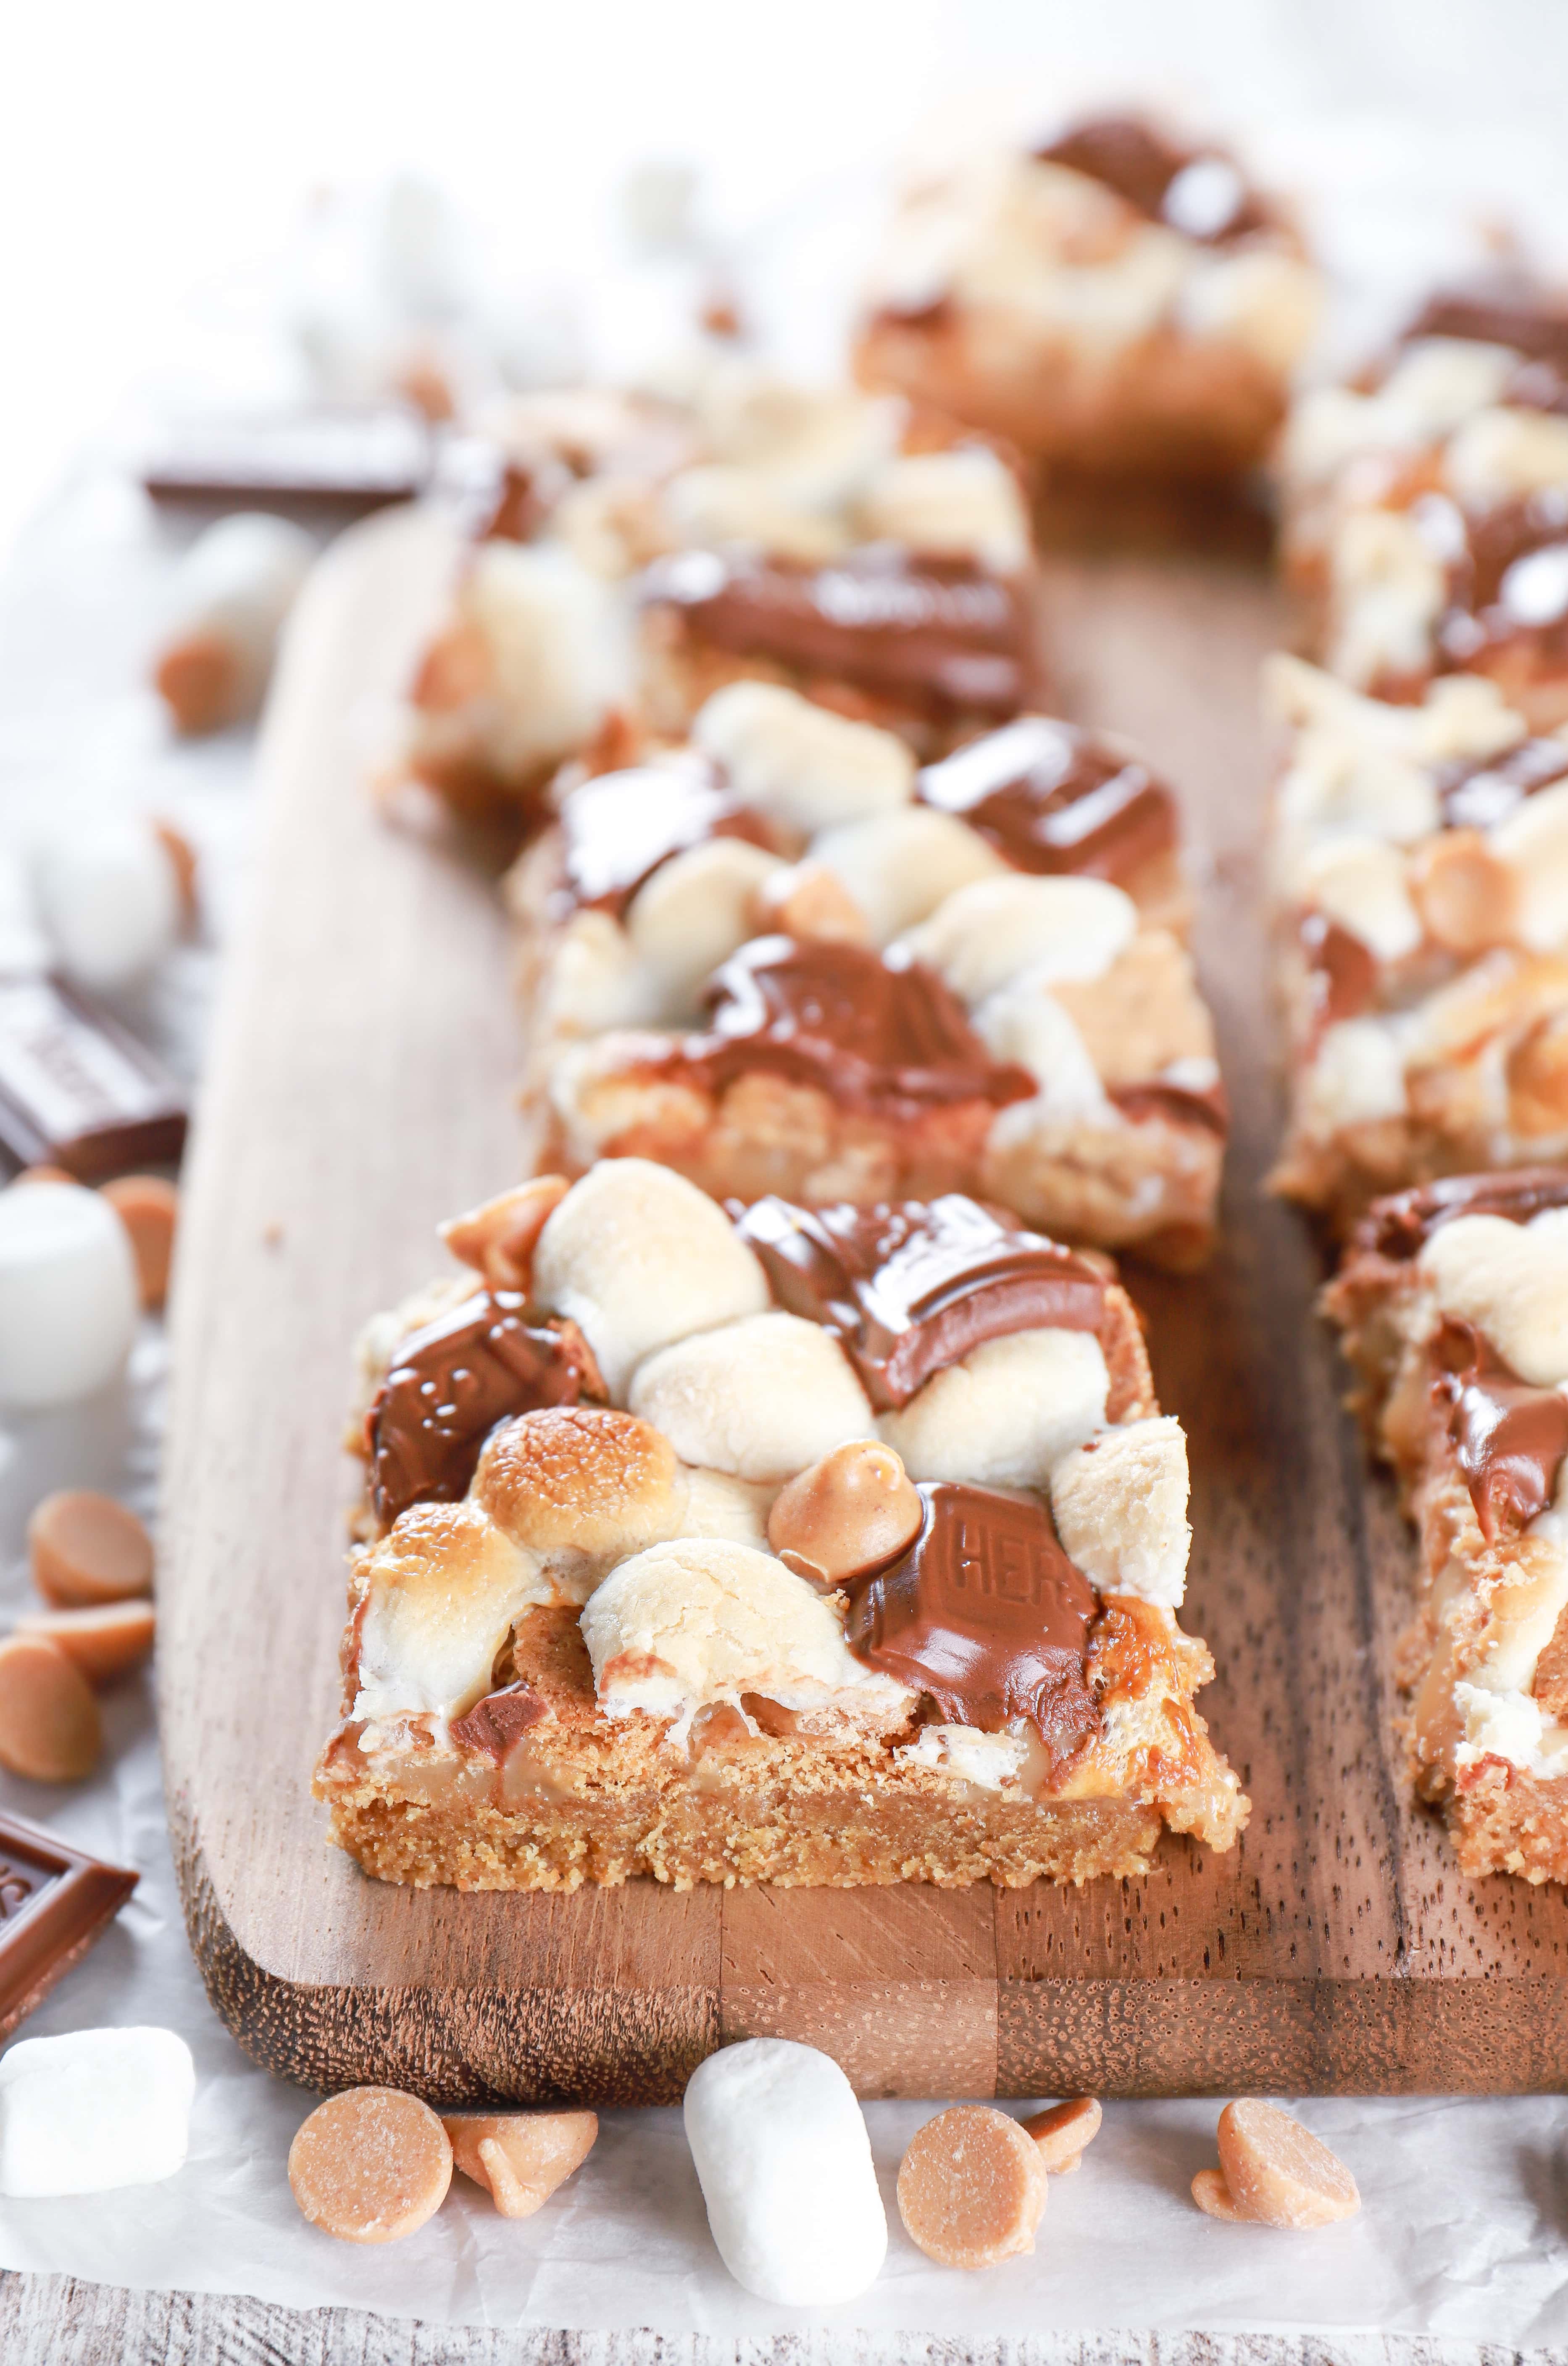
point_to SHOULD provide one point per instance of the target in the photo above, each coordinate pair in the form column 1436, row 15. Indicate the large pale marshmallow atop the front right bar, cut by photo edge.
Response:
column 1512, row 1284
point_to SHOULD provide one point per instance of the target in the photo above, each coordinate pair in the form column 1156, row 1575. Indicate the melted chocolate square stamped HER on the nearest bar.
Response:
column 985, row 1615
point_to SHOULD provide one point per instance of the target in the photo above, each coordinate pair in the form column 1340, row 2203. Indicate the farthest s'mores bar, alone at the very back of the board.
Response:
column 1115, row 302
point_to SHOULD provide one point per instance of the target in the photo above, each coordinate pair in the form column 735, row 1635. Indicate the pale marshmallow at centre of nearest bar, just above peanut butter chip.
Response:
column 763, row 1397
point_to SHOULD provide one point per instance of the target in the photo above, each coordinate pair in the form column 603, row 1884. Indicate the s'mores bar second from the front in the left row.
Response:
column 838, row 978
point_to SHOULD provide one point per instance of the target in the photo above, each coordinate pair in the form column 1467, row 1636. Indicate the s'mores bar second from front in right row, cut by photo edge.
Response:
column 1423, row 896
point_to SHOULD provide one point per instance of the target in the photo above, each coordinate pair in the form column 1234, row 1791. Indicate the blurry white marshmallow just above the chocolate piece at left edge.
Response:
column 110, row 903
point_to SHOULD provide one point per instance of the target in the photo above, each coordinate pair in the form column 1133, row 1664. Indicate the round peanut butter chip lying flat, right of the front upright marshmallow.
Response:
column 971, row 2187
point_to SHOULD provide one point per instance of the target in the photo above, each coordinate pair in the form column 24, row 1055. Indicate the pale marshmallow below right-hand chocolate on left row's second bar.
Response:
column 1004, row 929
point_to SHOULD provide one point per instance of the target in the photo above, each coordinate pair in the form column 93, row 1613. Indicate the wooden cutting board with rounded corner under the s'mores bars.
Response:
column 358, row 1092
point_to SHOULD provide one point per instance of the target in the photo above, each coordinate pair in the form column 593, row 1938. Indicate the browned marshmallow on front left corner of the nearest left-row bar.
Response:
column 441, row 1598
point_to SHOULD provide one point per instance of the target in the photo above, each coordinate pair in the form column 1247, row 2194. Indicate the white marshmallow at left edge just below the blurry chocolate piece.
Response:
column 70, row 1295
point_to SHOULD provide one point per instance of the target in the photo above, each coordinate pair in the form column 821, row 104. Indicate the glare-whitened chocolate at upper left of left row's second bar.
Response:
column 618, row 829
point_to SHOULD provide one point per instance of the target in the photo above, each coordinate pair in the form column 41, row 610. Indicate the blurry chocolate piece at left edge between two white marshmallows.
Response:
column 77, row 1090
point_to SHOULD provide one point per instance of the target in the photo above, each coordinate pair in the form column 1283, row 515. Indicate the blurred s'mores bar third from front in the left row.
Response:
column 770, row 534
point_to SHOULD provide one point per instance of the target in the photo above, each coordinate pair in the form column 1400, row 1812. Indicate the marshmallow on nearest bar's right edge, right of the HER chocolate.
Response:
column 1122, row 1511
